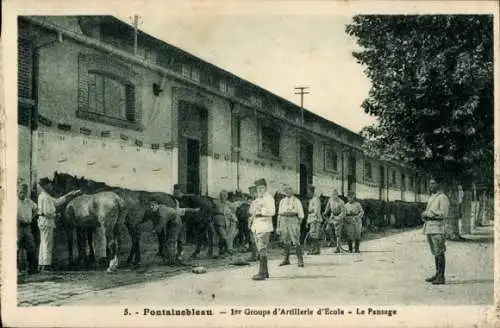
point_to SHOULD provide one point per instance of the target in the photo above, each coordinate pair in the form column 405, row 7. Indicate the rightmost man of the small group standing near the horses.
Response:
column 353, row 221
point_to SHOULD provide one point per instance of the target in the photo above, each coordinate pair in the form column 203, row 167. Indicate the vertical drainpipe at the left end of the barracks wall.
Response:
column 34, row 111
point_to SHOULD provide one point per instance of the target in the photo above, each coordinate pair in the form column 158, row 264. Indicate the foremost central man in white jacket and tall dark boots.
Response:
column 263, row 210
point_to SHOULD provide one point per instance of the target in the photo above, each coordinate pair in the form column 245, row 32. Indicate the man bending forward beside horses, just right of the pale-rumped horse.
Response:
column 168, row 223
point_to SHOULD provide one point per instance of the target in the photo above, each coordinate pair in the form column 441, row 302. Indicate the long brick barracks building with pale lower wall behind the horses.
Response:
column 97, row 99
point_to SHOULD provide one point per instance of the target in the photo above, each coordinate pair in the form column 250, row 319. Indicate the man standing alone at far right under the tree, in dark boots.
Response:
column 436, row 211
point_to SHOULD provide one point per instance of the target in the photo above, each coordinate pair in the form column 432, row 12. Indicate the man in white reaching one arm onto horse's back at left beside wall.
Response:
column 47, row 206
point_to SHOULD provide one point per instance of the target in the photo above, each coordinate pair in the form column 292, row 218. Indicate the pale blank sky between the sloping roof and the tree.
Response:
column 278, row 53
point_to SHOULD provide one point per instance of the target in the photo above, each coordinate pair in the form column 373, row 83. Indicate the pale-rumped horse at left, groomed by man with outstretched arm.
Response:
column 103, row 211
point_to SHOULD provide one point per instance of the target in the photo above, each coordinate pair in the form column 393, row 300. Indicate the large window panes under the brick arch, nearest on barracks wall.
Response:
column 109, row 97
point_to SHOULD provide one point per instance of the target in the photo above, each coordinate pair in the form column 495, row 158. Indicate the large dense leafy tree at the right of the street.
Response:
column 432, row 92
